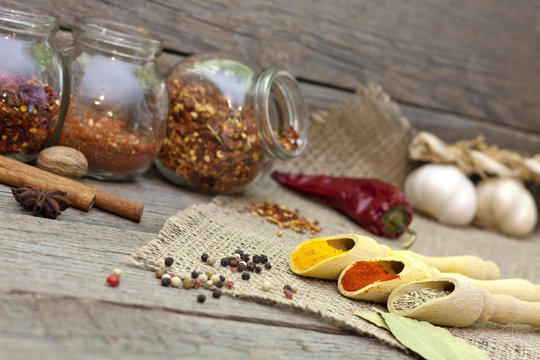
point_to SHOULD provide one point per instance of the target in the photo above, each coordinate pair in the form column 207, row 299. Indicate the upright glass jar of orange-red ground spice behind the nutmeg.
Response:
column 118, row 104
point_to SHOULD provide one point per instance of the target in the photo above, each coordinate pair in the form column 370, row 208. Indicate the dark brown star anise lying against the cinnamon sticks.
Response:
column 47, row 204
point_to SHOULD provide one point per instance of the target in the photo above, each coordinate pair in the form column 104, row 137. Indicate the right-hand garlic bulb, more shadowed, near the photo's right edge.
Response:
column 507, row 206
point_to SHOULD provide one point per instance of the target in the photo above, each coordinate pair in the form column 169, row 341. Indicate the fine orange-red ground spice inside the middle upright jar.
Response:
column 107, row 142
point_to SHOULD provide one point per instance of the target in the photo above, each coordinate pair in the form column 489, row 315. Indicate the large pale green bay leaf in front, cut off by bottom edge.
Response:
column 429, row 341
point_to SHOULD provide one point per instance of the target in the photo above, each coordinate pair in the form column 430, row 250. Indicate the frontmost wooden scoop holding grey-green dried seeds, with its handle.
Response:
column 465, row 305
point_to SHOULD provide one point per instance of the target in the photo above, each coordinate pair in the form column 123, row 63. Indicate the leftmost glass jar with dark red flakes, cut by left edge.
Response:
column 31, row 81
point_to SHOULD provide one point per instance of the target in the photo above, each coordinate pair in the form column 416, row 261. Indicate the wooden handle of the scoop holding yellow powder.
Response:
column 471, row 266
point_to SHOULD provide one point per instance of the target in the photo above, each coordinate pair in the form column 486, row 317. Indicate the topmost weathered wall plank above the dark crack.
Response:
column 473, row 58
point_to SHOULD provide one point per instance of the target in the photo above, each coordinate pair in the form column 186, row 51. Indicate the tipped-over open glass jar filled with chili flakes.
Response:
column 227, row 121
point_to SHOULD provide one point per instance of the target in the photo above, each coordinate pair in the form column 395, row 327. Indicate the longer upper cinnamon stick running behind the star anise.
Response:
column 104, row 200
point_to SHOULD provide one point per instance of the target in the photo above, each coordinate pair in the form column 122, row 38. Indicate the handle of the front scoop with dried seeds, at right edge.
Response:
column 509, row 310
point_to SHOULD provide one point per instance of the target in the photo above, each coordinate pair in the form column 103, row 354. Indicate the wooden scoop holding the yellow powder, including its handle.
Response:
column 358, row 247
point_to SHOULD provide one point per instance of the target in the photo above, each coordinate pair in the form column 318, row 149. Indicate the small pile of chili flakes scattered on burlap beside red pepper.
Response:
column 282, row 217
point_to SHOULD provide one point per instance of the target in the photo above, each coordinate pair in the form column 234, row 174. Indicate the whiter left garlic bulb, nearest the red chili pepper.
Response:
column 442, row 192
